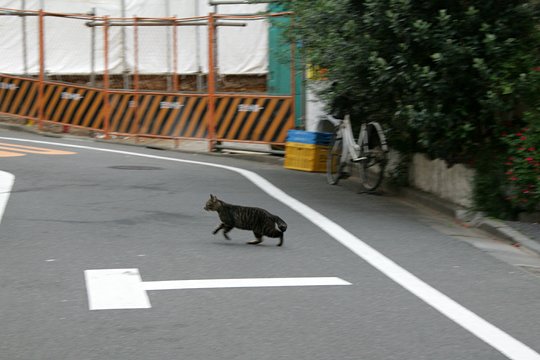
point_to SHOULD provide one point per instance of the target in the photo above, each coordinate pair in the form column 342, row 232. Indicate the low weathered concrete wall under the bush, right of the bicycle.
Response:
column 454, row 184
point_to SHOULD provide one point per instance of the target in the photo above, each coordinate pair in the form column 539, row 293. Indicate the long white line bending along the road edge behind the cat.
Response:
column 498, row 339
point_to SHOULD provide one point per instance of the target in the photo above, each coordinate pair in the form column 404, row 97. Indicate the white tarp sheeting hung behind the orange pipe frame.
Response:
column 68, row 42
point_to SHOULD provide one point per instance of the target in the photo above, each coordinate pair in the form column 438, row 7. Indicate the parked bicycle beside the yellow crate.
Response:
column 369, row 154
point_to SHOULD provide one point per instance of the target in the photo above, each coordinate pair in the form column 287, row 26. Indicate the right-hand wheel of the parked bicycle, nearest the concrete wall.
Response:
column 374, row 160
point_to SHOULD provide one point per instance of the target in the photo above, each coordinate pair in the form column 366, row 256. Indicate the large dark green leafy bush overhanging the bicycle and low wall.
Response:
column 446, row 78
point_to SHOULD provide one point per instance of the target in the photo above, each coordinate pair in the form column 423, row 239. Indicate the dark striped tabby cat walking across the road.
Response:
column 260, row 221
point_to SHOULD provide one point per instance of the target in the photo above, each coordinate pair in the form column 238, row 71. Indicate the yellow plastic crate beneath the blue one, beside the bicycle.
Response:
column 305, row 157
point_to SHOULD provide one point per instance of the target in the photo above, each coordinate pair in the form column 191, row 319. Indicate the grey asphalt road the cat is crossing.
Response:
column 417, row 291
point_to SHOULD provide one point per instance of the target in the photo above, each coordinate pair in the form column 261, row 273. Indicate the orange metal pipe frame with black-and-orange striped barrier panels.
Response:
column 213, row 116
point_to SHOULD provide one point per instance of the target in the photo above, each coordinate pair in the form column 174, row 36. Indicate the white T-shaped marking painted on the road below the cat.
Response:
column 124, row 289
